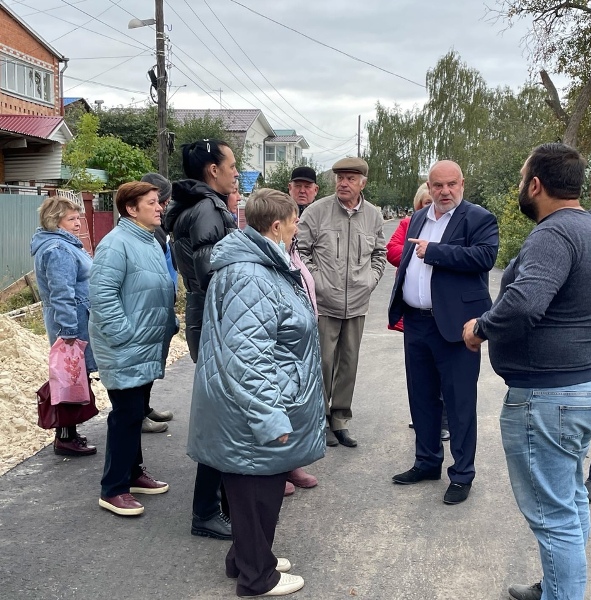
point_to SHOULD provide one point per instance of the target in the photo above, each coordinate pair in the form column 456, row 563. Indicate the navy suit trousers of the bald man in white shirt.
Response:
column 436, row 368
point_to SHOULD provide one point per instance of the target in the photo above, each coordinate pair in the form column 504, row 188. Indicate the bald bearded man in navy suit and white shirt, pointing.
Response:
column 442, row 282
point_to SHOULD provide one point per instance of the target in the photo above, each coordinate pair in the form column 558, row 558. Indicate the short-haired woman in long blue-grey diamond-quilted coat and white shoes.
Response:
column 257, row 410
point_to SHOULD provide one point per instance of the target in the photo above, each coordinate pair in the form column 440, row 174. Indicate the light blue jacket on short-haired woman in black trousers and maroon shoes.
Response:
column 132, row 318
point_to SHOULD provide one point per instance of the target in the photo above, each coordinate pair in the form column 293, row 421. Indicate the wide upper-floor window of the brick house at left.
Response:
column 26, row 80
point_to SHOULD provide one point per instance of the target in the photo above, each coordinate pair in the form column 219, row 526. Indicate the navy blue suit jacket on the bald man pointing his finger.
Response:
column 461, row 262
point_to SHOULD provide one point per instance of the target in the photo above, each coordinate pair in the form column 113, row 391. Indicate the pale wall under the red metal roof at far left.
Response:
column 33, row 166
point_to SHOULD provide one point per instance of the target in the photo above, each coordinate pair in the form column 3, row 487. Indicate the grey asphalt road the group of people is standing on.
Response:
column 355, row 535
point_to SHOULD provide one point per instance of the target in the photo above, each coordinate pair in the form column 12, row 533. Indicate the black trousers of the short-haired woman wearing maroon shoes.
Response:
column 123, row 456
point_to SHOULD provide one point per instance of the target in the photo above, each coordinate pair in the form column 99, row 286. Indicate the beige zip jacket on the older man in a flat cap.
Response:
column 345, row 254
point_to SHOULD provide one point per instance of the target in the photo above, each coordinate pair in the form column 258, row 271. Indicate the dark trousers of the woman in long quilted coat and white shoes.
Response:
column 255, row 502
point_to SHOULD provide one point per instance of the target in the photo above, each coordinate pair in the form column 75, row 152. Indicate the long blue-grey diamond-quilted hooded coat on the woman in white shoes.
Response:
column 258, row 374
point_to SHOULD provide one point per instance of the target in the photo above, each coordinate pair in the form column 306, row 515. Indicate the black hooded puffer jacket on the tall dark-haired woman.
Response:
column 197, row 218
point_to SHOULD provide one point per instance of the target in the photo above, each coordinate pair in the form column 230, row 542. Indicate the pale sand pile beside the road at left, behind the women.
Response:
column 23, row 370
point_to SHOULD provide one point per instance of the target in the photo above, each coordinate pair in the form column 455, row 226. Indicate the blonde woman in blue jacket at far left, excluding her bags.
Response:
column 62, row 269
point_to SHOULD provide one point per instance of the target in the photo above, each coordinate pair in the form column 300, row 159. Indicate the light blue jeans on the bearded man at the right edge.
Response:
column 546, row 434
